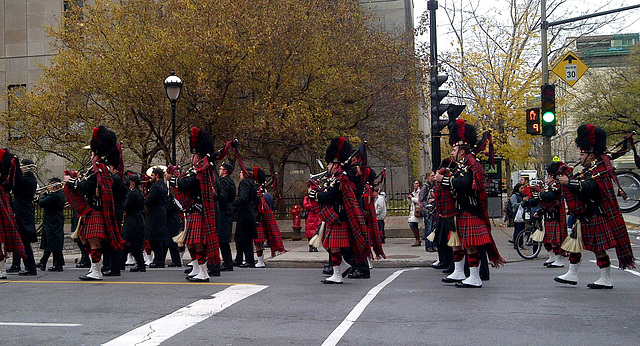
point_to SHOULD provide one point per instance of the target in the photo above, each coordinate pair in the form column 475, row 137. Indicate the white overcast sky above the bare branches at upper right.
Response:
column 627, row 21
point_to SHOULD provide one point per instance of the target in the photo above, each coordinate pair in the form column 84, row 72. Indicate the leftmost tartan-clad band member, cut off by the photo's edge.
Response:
column 9, row 237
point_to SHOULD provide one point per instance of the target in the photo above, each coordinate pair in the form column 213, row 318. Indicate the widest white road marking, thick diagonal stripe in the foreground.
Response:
column 155, row 332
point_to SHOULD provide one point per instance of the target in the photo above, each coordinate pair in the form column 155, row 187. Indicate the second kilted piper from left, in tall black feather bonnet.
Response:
column 97, row 207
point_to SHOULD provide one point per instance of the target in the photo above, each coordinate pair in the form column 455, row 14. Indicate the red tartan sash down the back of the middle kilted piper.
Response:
column 355, row 218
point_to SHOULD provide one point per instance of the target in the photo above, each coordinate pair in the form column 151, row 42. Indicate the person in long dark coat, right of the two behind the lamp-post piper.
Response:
column 246, row 230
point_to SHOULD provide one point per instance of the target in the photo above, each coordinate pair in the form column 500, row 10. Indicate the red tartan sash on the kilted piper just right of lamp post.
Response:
column 207, row 180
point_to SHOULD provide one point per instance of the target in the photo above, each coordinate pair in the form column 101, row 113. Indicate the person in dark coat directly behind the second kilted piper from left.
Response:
column 133, row 229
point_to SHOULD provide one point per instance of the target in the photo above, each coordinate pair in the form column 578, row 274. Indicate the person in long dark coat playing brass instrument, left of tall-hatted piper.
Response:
column 52, row 227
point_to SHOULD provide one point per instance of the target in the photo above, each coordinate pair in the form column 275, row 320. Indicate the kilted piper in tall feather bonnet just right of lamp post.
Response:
column 200, row 183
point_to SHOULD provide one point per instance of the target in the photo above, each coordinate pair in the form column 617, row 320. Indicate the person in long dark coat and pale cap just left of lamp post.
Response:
column 156, row 230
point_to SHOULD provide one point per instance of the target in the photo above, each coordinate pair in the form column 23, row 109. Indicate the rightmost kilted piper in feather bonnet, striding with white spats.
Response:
column 591, row 198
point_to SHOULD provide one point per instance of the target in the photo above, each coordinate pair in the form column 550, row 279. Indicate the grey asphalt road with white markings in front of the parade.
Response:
column 520, row 305
